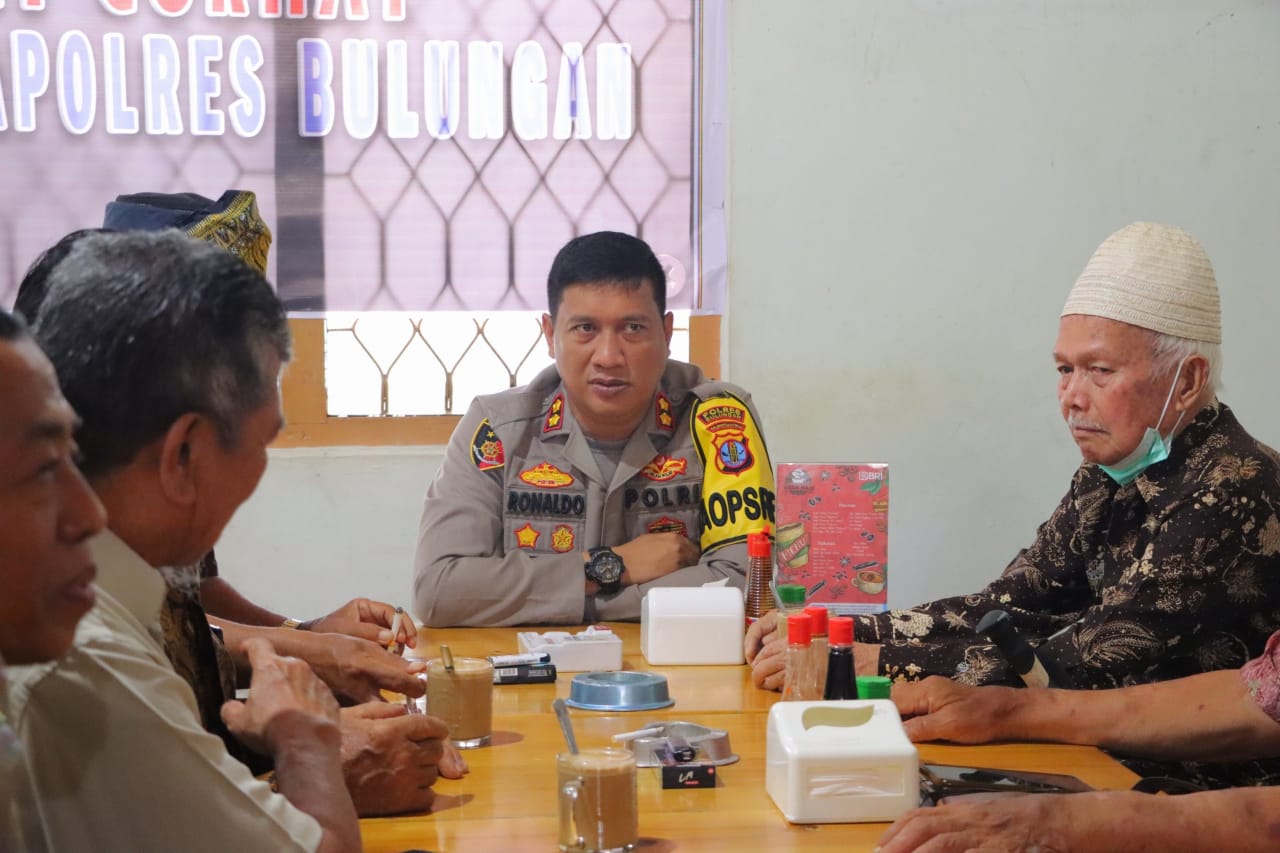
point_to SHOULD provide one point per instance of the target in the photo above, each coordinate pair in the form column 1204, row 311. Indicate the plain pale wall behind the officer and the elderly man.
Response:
column 915, row 186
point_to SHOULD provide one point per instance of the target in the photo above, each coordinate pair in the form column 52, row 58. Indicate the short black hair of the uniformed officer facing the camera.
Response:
column 606, row 258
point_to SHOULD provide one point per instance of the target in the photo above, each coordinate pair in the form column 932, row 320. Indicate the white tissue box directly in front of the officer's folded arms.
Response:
column 693, row 626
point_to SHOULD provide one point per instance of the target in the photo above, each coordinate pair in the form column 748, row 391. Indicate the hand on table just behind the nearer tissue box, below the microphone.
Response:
column 943, row 710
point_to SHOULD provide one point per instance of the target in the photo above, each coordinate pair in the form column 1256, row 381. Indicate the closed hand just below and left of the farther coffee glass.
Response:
column 391, row 759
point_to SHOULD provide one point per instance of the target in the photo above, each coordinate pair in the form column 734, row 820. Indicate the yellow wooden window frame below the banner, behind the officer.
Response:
column 307, row 403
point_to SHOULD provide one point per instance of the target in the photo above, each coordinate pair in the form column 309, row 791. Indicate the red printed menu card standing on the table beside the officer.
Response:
column 833, row 535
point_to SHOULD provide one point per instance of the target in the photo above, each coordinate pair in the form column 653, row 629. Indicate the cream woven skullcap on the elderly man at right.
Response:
column 1155, row 277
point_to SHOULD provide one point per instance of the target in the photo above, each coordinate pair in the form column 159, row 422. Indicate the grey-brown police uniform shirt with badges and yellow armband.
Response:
column 520, row 498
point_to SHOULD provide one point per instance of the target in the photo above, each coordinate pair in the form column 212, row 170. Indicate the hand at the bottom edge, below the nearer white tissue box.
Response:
column 1011, row 824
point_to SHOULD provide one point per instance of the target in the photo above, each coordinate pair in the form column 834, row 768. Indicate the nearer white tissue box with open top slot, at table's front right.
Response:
column 840, row 763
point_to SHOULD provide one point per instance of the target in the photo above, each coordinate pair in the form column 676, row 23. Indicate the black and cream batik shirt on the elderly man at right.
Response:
column 1174, row 574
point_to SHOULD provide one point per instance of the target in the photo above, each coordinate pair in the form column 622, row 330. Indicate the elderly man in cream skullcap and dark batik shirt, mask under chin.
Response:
column 1163, row 560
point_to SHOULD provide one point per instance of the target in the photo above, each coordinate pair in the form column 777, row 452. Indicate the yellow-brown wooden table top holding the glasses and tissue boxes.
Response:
column 508, row 802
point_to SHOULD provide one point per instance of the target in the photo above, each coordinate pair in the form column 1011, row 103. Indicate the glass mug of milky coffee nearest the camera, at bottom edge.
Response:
column 597, row 791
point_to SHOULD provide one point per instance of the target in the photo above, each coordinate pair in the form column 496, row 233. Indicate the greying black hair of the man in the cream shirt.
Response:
column 145, row 327
